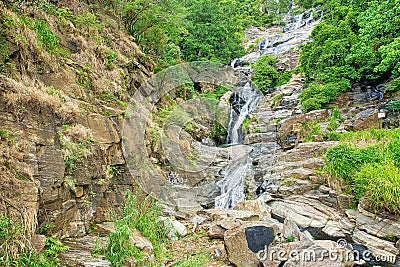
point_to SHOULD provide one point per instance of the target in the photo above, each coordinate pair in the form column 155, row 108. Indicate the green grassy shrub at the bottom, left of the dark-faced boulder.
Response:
column 143, row 216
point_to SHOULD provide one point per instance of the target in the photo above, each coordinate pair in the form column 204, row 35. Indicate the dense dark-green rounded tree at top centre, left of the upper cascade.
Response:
column 213, row 31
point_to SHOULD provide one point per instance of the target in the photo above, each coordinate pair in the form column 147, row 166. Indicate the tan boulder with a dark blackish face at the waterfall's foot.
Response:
column 245, row 241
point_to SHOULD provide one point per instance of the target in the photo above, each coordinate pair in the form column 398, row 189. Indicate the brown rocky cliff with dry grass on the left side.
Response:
column 68, row 75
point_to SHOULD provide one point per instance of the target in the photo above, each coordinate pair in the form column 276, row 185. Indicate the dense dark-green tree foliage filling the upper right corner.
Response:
column 357, row 41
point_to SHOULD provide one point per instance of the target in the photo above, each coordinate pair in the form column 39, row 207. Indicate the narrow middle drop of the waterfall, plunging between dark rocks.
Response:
column 245, row 101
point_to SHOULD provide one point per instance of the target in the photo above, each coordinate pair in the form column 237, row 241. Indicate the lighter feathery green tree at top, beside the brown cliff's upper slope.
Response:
column 155, row 24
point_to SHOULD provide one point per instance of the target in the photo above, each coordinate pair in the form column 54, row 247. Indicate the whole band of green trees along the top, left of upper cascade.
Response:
column 191, row 30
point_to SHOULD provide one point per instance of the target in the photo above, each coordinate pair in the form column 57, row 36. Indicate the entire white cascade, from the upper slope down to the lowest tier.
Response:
column 246, row 99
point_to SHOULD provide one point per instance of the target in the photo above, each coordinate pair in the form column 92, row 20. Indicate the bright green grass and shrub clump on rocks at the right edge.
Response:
column 368, row 162
